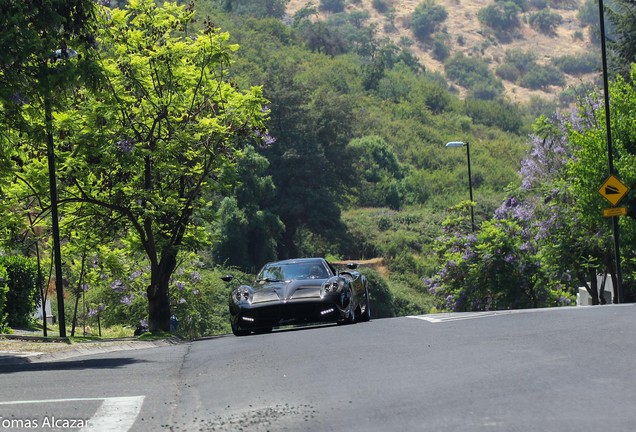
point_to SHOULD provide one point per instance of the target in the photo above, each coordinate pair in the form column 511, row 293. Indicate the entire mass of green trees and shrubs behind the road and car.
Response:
column 196, row 141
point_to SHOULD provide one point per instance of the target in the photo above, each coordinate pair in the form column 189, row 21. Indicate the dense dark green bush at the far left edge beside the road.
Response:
column 23, row 294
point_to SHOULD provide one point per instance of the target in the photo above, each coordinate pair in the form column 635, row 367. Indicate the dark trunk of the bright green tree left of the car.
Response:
column 159, row 293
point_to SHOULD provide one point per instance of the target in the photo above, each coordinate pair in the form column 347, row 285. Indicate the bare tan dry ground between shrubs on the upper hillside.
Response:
column 462, row 22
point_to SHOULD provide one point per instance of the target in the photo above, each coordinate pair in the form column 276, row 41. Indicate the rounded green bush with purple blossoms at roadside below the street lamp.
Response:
column 491, row 270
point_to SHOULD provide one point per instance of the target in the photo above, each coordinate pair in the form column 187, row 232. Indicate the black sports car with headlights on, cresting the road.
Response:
column 298, row 291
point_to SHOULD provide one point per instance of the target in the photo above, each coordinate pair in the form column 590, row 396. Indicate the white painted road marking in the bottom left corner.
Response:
column 115, row 414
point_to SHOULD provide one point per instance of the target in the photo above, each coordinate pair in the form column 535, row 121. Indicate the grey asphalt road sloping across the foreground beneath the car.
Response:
column 543, row 370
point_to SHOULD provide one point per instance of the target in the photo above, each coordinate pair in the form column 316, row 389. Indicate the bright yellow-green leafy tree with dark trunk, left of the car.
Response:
column 166, row 129
